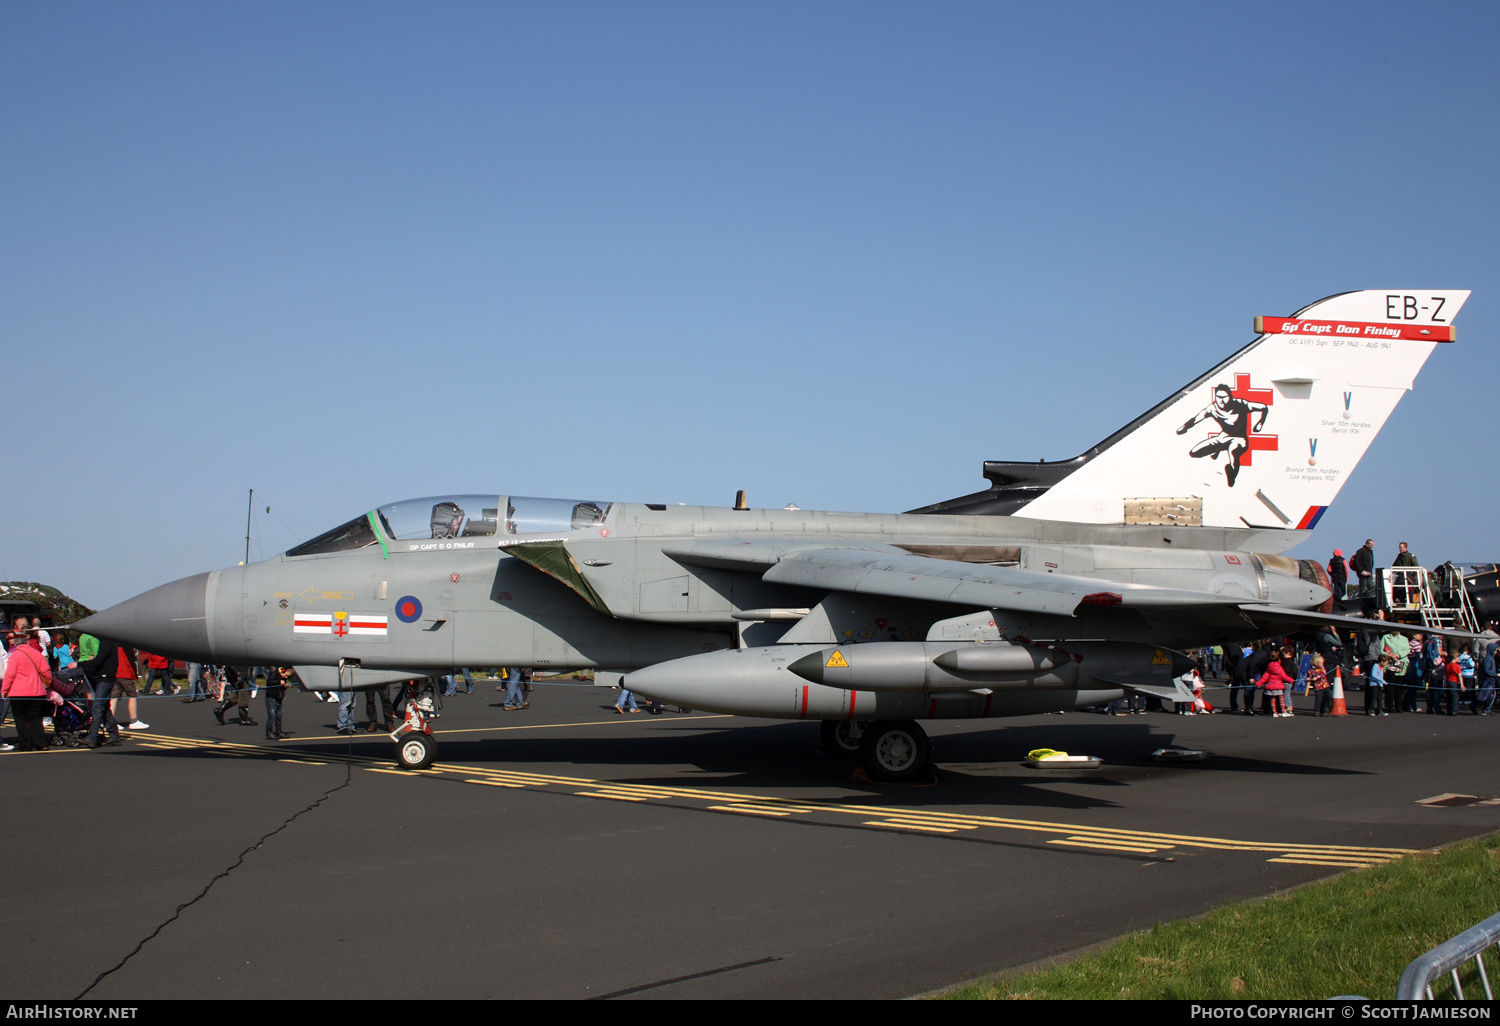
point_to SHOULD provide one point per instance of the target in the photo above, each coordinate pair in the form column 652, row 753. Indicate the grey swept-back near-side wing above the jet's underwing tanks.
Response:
column 902, row 575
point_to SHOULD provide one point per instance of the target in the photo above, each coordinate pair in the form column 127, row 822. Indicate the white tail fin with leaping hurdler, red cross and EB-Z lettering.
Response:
column 1268, row 437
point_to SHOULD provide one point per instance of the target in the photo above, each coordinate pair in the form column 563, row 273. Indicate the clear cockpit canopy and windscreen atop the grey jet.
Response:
column 458, row 517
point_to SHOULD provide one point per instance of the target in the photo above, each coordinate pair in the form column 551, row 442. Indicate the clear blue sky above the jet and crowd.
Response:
column 836, row 254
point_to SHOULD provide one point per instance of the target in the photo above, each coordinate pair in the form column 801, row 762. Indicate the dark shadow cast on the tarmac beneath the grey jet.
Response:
column 976, row 767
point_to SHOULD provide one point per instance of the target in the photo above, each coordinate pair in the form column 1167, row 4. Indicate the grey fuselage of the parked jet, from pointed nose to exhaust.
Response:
column 649, row 584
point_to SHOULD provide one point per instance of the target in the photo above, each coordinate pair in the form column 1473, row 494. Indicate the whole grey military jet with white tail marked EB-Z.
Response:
column 1063, row 584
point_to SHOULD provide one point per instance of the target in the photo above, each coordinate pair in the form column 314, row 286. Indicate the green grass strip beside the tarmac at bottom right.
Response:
column 1352, row 935
